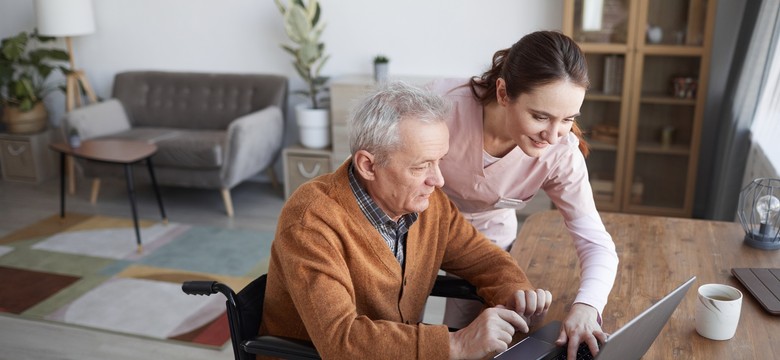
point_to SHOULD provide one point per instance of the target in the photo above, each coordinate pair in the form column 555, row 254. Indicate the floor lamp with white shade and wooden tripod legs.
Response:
column 67, row 18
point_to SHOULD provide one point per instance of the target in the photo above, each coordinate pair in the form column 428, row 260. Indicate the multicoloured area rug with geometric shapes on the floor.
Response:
column 85, row 271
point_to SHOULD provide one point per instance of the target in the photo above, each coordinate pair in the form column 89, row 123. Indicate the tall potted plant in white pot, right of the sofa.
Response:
column 303, row 27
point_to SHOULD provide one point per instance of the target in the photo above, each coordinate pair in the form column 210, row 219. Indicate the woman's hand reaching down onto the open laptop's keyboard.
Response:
column 580, row 326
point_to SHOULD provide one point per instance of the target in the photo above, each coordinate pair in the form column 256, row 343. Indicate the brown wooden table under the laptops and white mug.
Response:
column 656, row 255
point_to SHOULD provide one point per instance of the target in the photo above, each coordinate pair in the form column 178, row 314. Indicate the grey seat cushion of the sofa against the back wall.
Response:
column 199, row 149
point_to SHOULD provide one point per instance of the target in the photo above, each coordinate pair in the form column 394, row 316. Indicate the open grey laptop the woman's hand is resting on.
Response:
column 629, row 342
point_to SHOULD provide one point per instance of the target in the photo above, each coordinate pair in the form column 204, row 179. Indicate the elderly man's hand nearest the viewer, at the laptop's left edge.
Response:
column 491, row 331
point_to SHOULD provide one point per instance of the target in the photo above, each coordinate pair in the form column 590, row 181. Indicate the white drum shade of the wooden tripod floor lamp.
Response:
column 65, row 17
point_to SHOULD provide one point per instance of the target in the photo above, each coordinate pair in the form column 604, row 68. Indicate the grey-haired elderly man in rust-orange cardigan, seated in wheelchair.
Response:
column 357, row 251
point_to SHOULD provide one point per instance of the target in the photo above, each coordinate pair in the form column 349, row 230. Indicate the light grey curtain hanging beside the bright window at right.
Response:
column 747, row 78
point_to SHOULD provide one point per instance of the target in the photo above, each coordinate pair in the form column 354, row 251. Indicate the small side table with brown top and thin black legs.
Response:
column 120, row 152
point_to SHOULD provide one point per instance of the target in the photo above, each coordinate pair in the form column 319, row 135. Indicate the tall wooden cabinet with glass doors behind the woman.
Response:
column 647, row 60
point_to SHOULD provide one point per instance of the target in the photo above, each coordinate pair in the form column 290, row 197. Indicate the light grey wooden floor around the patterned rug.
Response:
column 256, row 205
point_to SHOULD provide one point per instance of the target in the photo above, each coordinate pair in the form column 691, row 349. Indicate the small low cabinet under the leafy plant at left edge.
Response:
column 26, row 157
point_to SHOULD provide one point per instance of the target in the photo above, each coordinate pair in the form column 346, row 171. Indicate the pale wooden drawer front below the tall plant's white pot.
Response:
column 302, row 166
